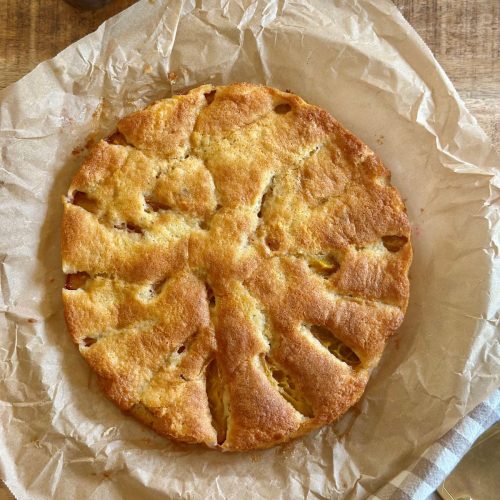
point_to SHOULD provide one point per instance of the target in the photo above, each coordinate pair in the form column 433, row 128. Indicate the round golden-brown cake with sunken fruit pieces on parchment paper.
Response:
column 235, row 262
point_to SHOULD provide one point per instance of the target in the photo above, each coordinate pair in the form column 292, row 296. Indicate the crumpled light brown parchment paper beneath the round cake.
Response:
column 360, row 60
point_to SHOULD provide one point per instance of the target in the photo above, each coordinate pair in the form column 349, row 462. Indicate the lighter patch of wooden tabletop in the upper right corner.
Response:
column 464, row 35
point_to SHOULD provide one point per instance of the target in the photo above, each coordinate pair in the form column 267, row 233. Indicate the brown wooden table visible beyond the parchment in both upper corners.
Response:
column 463, row 34
